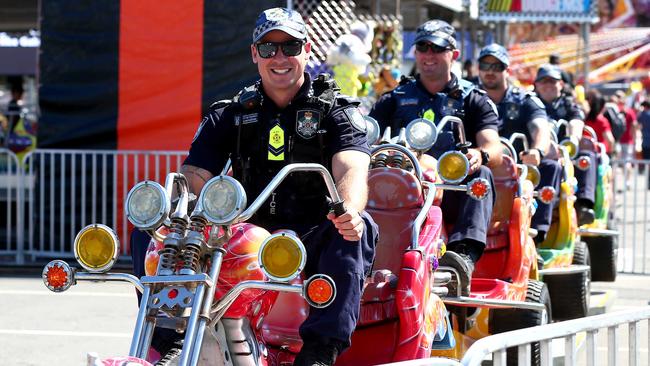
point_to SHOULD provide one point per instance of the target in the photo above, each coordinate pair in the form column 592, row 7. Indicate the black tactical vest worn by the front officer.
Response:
column 301, row 199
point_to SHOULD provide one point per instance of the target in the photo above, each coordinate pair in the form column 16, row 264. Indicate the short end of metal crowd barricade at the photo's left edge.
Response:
column 11, row 184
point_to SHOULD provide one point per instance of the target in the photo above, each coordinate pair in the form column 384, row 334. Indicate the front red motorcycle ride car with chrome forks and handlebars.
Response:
column 236, row 290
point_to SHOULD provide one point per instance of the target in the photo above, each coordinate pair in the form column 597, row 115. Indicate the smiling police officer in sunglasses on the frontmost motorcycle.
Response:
column 286, row 117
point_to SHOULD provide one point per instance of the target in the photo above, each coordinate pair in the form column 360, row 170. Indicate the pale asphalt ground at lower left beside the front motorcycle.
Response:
column 39, row 327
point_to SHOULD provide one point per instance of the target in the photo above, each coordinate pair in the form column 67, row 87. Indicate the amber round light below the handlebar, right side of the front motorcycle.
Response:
column 282, row 257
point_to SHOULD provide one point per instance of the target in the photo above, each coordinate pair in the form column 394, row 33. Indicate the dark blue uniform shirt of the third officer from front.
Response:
column 517, row 109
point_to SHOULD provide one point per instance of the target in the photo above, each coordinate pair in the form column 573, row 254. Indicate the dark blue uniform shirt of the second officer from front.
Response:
column 411, row 100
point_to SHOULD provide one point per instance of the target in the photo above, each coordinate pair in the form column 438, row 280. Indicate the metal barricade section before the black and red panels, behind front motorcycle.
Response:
column 75, row 188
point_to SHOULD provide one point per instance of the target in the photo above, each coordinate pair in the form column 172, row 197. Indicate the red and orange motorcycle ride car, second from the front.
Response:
column 505, row 291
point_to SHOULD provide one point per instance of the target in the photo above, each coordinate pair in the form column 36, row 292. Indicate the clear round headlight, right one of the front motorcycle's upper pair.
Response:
column 222, row 199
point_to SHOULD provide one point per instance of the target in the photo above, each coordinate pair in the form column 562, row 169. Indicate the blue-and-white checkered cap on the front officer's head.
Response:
column 286, row 20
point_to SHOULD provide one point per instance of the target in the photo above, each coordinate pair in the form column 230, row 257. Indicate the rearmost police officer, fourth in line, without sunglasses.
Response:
column 562, row 106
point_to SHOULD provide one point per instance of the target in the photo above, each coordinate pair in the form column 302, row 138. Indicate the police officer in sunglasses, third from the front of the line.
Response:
column 522, row 112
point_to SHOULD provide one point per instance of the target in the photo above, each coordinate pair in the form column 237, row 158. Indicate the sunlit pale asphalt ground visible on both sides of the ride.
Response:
column 38, row 327
